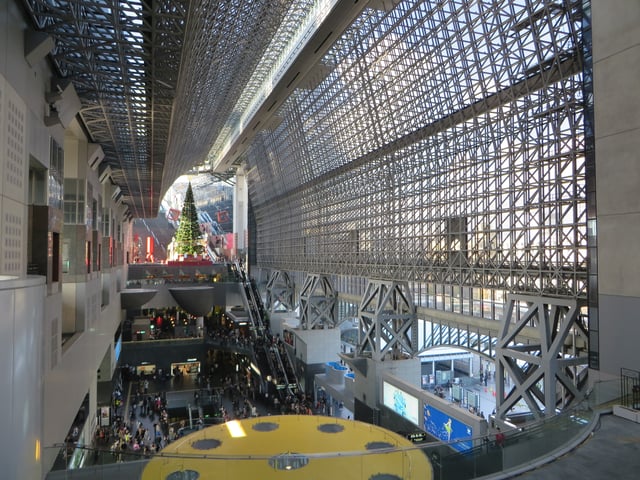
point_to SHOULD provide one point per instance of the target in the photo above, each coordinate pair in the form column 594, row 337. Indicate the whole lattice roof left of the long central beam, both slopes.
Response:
column 158, row 79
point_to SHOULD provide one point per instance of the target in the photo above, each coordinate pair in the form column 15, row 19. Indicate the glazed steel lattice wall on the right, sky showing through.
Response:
column 443, row 145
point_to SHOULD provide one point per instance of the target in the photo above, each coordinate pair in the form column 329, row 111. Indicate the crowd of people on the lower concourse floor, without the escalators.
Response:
column 217, row 384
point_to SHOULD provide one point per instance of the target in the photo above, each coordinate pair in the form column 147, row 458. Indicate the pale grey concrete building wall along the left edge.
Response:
column 43, row 386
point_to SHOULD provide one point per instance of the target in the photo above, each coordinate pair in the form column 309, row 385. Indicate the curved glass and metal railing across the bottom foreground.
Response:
column 522, row 448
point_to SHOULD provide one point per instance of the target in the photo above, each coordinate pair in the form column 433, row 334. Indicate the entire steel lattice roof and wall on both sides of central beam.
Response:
column 442, row 143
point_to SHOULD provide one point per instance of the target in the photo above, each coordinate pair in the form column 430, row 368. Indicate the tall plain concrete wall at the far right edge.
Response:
column 616, row 54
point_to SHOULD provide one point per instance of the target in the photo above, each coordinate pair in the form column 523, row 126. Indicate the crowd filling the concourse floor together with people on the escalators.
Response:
column 219, row 384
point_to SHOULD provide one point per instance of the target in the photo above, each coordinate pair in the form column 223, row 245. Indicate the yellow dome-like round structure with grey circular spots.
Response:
column 295, row 447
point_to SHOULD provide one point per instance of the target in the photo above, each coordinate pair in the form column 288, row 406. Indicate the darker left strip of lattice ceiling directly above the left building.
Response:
column 123, row 59
